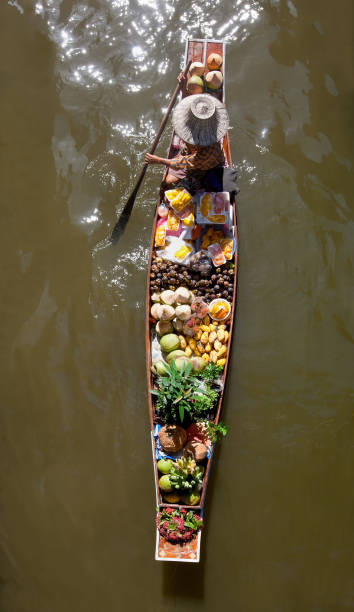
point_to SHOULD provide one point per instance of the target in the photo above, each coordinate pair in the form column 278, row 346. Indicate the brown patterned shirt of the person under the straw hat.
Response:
column 199, row 158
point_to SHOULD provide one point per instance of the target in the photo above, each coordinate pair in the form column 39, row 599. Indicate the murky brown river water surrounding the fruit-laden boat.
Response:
column 83, row 84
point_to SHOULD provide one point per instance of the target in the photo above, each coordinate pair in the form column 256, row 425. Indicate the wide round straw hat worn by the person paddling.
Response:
column 200, row 119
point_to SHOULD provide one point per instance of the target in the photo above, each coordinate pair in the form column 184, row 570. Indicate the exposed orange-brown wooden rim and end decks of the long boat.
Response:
column 196, row 50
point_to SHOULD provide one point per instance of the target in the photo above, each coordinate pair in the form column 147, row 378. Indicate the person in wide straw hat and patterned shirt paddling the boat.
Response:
column 201, row 121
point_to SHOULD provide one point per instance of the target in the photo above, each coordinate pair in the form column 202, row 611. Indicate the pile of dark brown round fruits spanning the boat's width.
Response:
column 168, row 275
